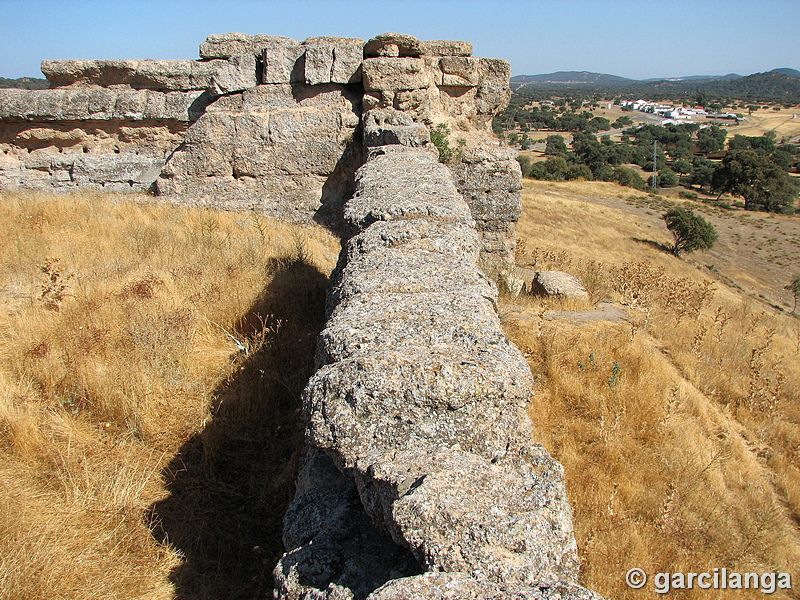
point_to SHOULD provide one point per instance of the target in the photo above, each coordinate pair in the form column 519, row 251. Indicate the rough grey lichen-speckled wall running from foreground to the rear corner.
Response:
column 422, row 479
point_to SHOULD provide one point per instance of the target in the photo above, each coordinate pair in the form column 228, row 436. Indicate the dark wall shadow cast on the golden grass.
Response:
column 231, row 483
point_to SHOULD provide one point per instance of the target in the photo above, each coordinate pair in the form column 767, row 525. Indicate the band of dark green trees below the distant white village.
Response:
column 755, row 168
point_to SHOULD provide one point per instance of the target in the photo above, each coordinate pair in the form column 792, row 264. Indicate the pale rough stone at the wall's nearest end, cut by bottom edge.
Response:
column 459, row 586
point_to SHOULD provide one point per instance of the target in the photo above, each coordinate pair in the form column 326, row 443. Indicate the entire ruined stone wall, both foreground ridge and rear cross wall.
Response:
column 421, row 477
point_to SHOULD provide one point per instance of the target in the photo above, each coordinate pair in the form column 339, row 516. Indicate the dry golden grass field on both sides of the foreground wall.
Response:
column 152, row 358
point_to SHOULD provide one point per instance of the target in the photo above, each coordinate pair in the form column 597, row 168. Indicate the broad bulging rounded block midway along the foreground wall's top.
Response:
column 367, row 407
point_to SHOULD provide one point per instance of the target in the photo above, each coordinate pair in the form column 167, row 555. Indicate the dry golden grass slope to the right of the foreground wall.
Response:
column 679, row 430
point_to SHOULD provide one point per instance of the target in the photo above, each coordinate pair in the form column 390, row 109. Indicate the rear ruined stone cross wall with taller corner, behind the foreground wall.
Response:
column 264, row 122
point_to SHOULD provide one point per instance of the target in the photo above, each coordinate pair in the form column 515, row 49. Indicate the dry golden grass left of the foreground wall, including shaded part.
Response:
column 151, row 358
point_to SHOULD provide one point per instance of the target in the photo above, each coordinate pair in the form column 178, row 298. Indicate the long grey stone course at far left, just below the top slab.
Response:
column 80, row 104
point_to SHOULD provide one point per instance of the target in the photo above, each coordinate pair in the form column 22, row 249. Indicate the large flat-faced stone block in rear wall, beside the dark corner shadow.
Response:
column 276, row 146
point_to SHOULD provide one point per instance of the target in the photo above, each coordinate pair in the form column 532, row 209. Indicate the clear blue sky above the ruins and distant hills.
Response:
column 637, row 39
